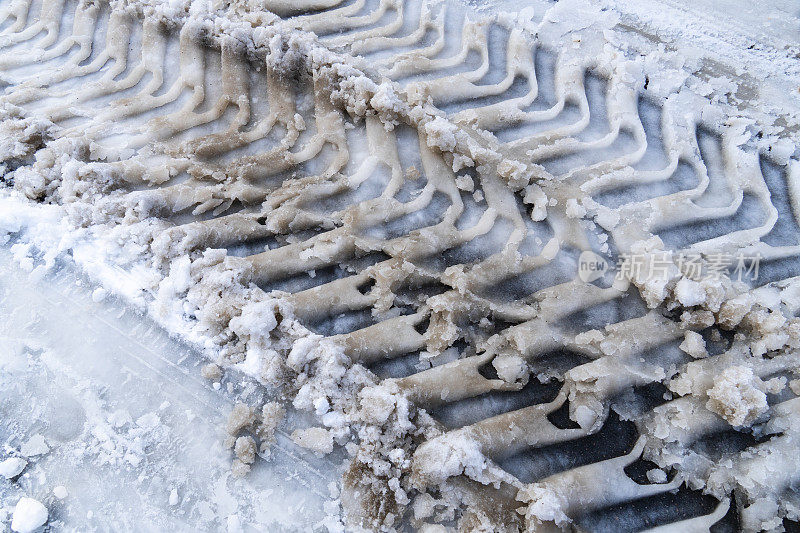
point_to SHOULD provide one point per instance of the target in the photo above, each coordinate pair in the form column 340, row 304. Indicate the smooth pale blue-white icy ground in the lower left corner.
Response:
column 128, row 420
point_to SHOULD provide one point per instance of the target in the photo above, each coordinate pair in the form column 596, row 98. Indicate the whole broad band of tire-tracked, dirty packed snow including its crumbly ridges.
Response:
column 383, row 209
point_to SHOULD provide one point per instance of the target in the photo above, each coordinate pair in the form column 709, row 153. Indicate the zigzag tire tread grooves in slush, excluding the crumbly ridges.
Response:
column 450, row 284
